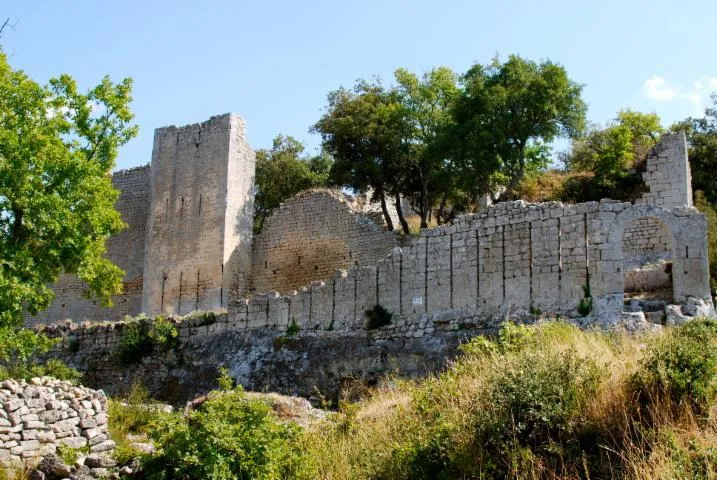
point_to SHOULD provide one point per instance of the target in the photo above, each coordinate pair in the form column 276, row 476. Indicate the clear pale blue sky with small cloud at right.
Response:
column 273, row 62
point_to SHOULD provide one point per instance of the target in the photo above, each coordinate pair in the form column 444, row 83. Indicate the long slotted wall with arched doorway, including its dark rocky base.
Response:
column 449, row 284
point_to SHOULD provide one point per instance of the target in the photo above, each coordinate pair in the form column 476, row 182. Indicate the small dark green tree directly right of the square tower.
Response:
column 283, row 171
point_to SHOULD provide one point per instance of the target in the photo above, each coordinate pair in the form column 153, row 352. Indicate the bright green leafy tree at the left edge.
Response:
column 57, row 149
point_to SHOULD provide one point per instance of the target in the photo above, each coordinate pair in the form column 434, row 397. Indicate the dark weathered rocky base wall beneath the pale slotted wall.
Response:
column 270, row 358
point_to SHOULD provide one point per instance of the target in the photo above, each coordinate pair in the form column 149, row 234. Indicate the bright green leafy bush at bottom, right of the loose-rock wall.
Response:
column 230, row 436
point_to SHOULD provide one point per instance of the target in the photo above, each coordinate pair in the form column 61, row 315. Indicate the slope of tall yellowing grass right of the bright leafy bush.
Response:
column 550, row 401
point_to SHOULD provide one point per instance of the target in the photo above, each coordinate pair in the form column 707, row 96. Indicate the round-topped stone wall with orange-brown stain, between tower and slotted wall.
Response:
column 311, row 236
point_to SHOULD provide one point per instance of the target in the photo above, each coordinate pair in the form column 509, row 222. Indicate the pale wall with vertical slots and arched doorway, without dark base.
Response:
column 508, row 259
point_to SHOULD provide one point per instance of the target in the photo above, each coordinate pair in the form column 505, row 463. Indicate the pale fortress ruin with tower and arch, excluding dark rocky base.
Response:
column 189, row 246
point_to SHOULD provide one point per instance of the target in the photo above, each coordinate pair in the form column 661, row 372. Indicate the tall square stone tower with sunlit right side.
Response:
column 199, row 227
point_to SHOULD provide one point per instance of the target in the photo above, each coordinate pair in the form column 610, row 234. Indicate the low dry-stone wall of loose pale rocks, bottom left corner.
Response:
column 37, row 416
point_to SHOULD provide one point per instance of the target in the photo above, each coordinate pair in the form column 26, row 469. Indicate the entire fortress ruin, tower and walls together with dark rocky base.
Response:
column 292, row 301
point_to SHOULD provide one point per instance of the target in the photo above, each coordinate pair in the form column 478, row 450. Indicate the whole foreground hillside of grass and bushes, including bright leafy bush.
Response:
column 545, row 401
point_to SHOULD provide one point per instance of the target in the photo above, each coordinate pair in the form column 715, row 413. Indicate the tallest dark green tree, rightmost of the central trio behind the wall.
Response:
column 504, row 111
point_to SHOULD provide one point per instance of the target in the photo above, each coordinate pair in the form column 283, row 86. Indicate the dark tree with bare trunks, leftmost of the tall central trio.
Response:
column 363, row 130
